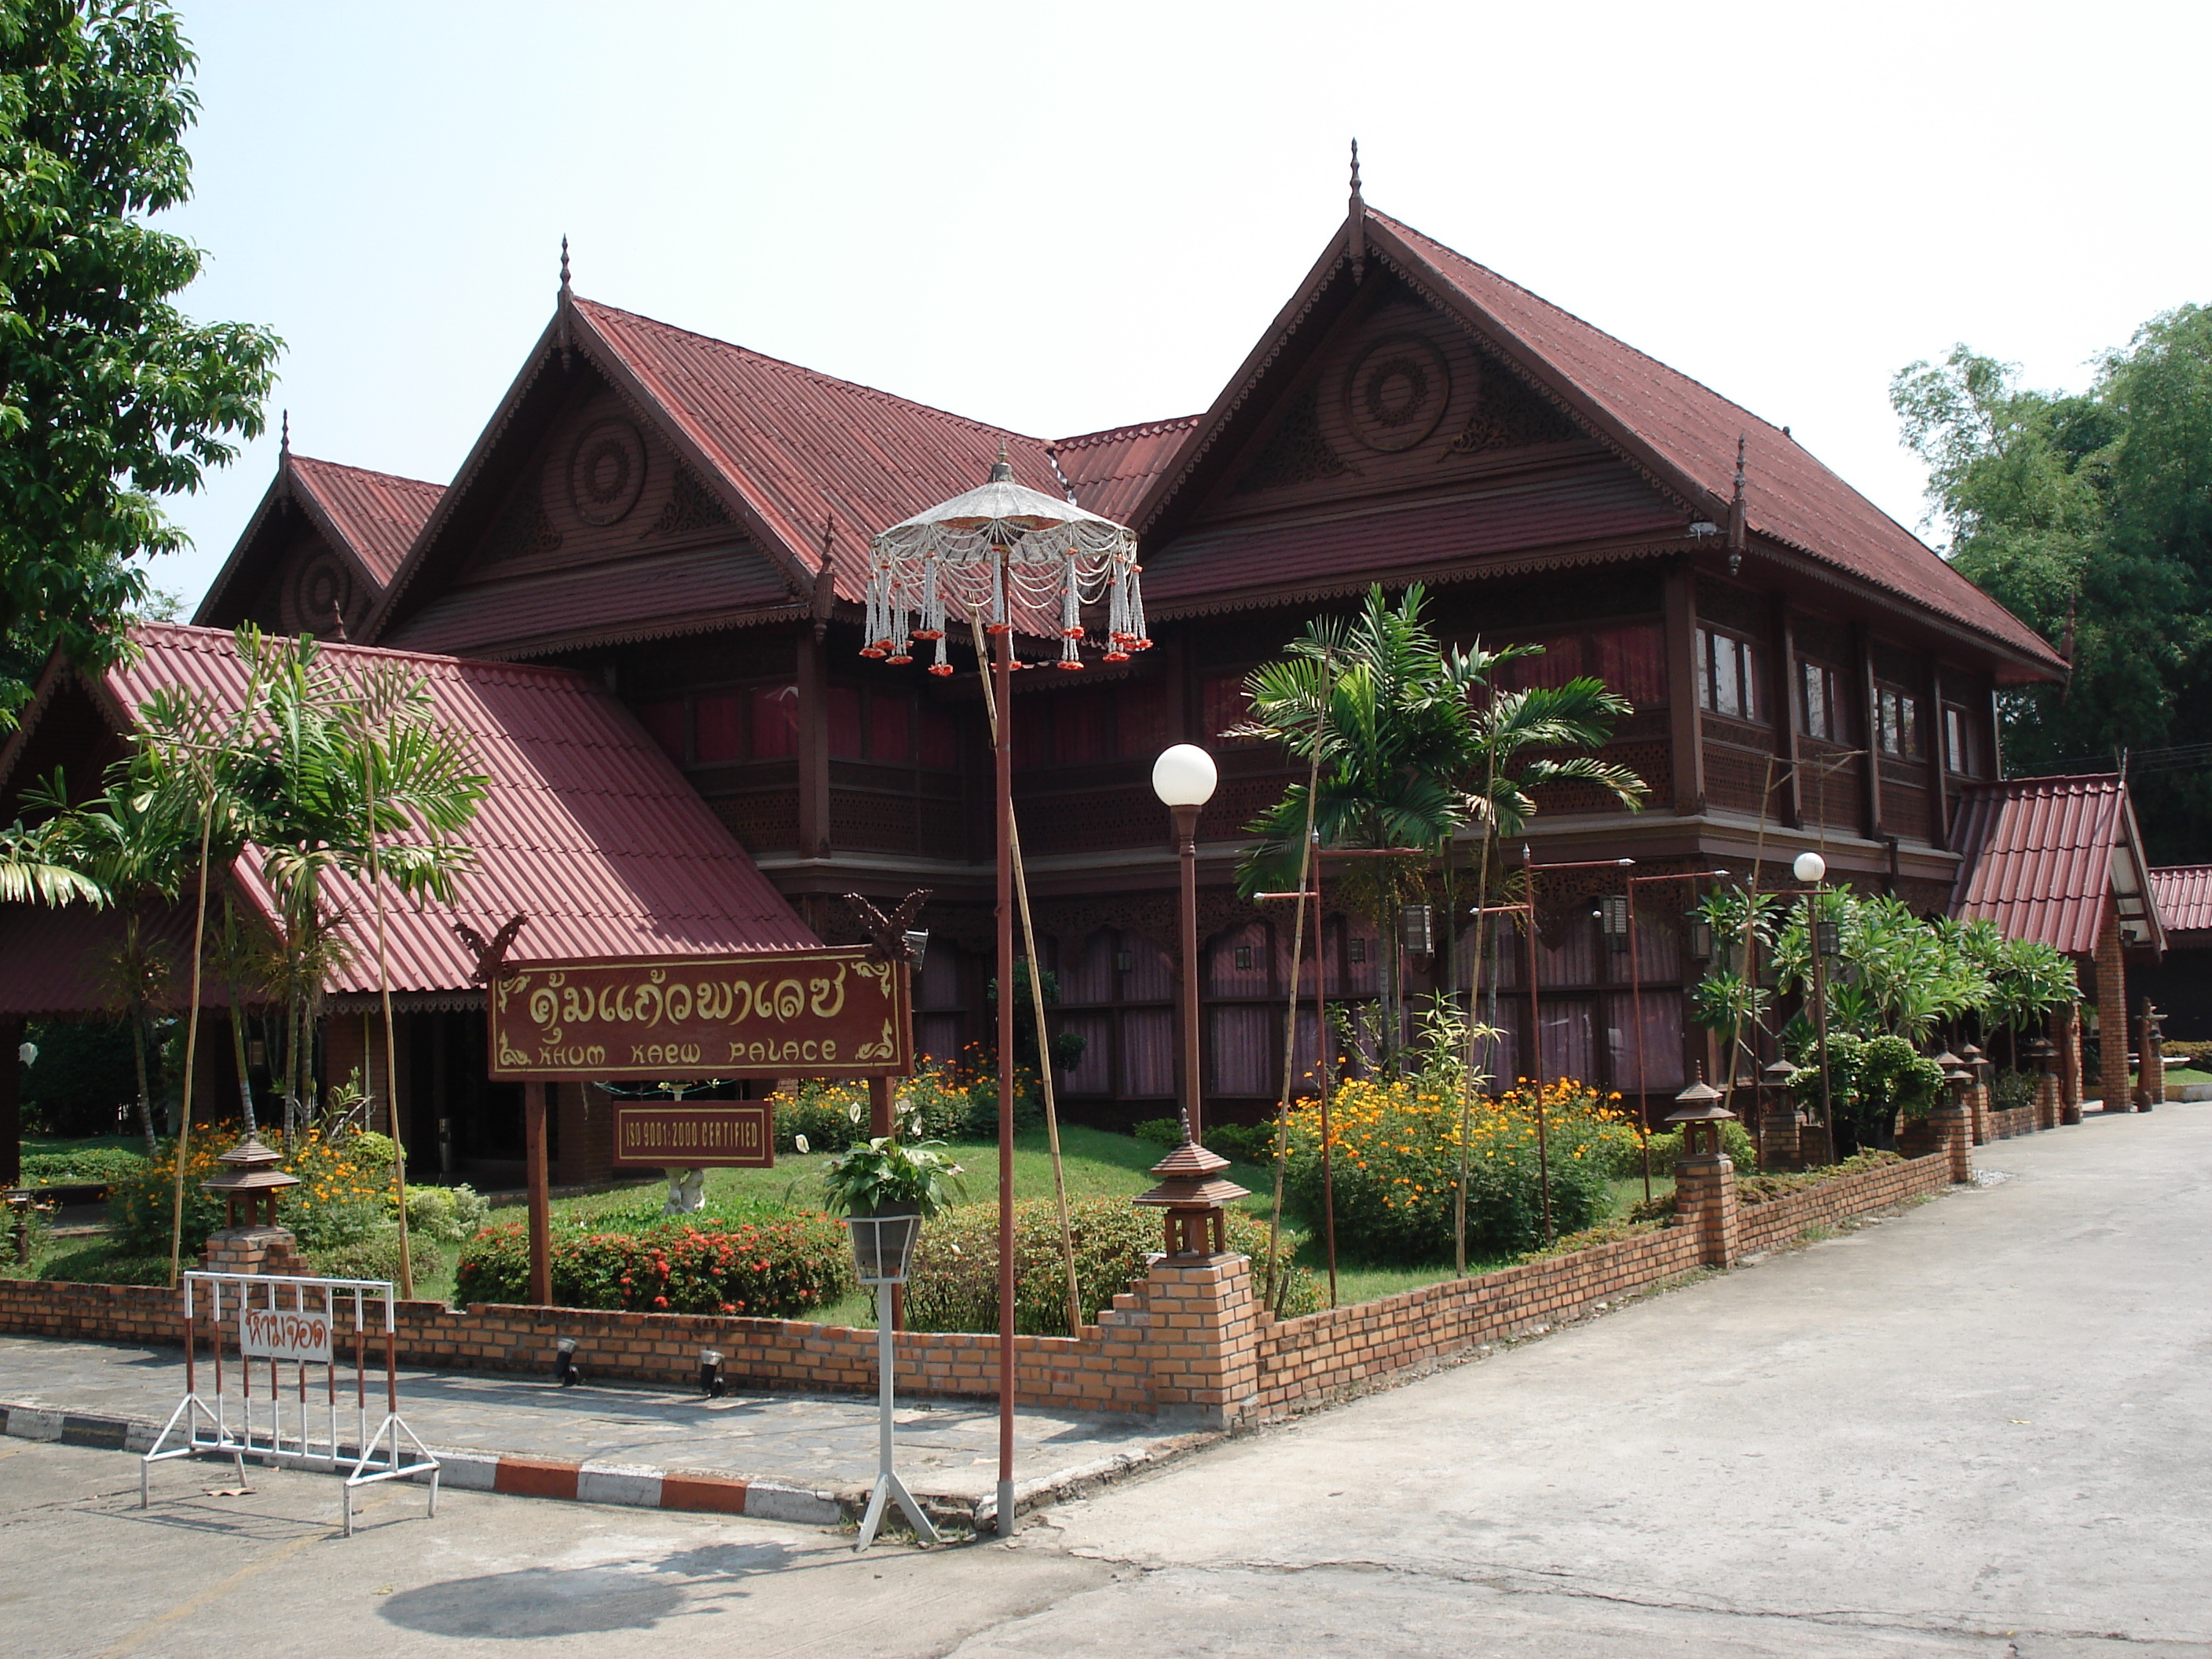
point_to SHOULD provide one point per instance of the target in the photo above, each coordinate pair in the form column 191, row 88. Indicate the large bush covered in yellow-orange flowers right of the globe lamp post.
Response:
column 1397, row 1156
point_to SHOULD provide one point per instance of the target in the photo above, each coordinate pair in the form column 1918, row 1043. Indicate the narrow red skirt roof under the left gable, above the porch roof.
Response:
column 640, row 598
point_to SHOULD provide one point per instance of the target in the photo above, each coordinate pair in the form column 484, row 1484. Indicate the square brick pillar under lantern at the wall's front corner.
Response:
column 1200, row 1337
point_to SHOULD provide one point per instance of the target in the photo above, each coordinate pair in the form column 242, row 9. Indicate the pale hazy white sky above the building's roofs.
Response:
column 1067, row 218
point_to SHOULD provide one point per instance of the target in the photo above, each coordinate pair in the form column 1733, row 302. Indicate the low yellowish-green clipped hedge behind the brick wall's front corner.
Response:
column 954, row 1277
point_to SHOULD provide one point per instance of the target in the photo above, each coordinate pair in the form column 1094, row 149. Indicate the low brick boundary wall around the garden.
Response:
column 1185, row 1344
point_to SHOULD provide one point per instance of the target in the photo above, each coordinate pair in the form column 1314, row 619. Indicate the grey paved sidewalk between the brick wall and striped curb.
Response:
column 802, row 1443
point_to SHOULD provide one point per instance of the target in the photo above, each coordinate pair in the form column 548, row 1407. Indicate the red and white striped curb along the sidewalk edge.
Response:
column 578, row 1481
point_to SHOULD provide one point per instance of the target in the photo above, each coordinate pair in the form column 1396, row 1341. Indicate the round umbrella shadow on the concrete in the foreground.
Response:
column 585, row 1600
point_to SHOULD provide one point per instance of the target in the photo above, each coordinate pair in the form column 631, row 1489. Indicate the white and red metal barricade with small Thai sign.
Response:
column 293, row 1322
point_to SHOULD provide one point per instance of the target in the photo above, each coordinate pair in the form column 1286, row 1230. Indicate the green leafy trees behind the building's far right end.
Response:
column 2091, row 512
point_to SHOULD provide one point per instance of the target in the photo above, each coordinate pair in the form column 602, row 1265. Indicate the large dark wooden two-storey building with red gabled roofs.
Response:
column 687, row 523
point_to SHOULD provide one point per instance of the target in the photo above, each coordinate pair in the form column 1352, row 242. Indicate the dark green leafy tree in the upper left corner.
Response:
column 109, row 399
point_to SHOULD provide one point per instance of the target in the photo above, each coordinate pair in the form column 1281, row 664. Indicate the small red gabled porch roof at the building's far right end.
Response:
column 2047, row 857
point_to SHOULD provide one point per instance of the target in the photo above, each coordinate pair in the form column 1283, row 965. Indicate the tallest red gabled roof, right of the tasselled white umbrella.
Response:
column 1671, row 428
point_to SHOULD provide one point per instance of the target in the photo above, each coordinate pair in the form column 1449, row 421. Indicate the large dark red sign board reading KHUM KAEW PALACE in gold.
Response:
column 682, row 1019
